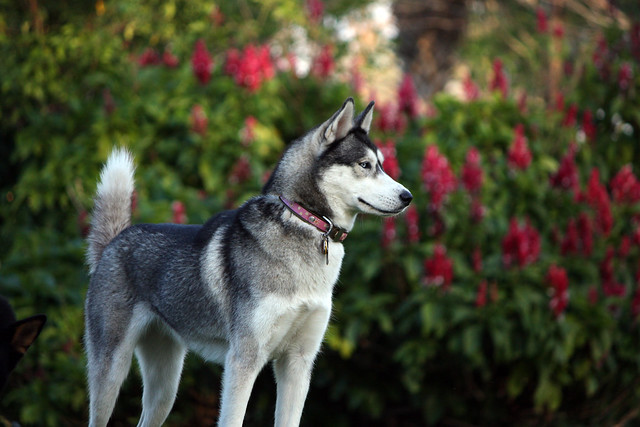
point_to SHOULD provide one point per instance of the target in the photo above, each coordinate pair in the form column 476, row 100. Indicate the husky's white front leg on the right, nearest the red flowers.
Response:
column 293, row 369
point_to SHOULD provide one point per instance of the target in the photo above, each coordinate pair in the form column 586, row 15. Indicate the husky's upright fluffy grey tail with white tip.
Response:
column 112, row 204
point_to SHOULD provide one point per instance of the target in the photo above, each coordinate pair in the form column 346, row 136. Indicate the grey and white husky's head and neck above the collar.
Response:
column 335, row 170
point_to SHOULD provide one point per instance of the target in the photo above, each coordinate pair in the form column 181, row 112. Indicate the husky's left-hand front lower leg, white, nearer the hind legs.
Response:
column 240, row 371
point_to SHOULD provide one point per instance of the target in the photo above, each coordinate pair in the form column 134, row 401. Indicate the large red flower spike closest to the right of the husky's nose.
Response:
column 437, row 176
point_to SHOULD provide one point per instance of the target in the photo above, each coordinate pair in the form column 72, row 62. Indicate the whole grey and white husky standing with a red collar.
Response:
column 251, row 285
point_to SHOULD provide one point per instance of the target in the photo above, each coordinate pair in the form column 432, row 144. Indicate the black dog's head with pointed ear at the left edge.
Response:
column 15, row 338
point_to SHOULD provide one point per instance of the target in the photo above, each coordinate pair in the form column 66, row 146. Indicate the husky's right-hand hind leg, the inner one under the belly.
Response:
column 160, row 357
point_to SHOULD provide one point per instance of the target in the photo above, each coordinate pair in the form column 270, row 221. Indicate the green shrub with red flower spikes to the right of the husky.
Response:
column 529, row 230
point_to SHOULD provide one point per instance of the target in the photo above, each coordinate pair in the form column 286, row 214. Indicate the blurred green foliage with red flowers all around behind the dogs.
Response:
column 508, row 294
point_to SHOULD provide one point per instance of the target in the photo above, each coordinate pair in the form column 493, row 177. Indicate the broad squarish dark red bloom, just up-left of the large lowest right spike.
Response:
column 520, row 245
